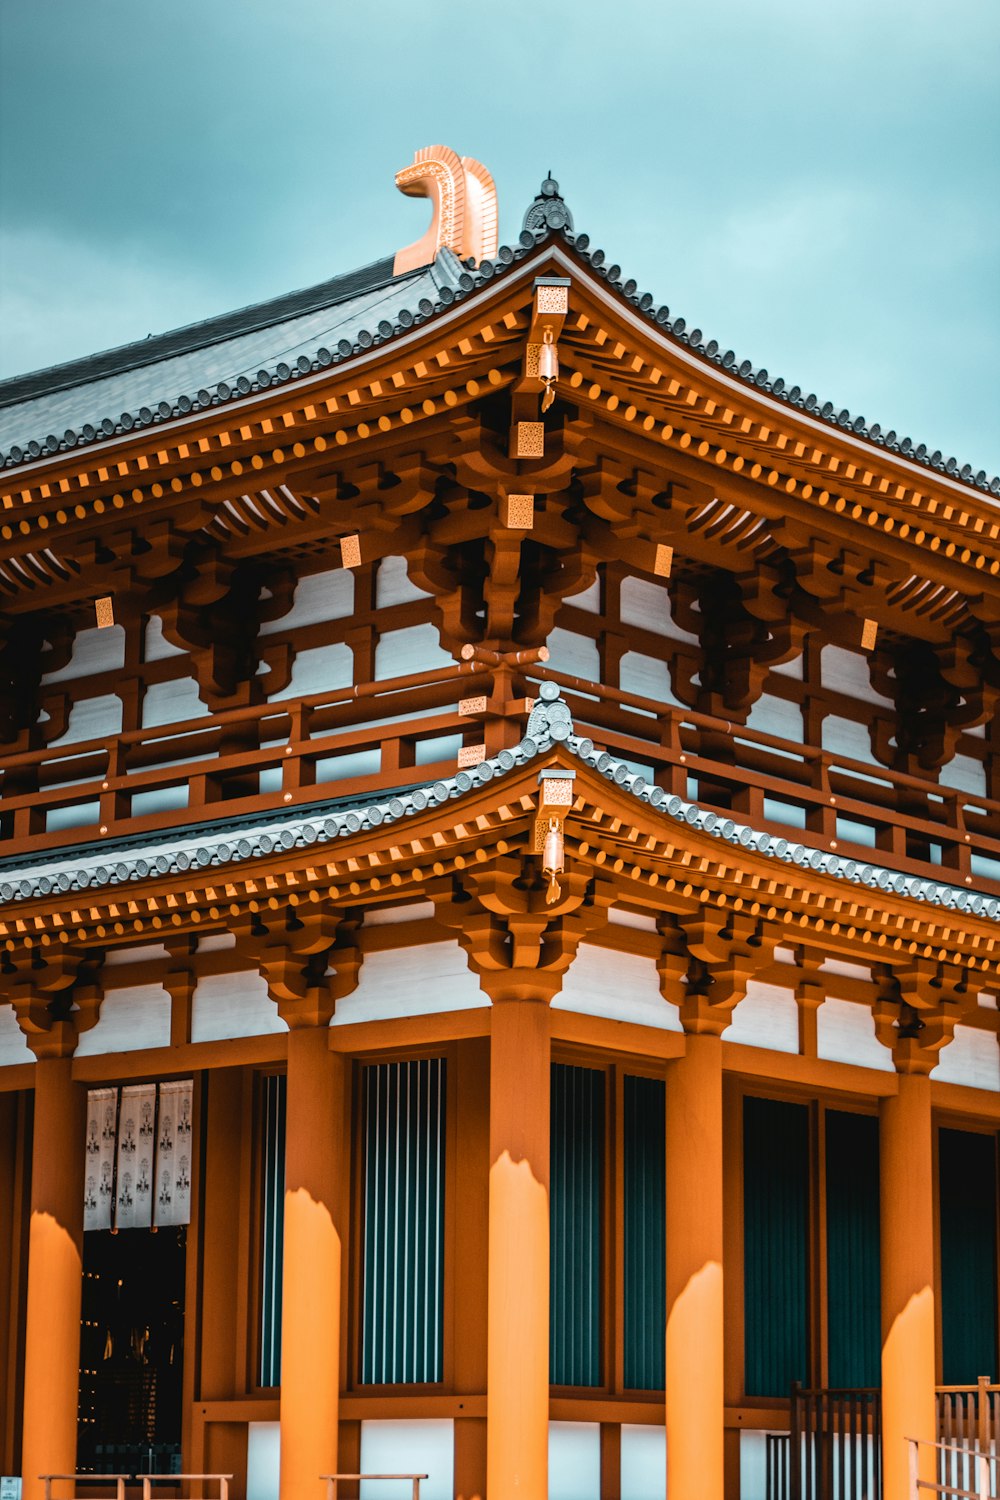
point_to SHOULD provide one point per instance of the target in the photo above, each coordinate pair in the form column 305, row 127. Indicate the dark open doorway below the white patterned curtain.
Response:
column 131, row 1352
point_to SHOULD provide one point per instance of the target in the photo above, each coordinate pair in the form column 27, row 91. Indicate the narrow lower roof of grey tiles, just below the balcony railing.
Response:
column 548, row 727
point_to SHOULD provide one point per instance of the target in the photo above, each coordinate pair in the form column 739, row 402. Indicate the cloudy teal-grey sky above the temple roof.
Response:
column 815, row 185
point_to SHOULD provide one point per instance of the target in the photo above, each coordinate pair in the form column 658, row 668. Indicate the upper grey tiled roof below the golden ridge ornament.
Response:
column 221, row 367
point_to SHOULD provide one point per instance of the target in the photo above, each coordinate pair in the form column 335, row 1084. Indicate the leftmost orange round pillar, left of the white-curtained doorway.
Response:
column 56, row 1243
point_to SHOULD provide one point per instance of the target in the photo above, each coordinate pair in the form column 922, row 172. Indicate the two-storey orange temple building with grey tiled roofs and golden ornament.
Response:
column 500, row 904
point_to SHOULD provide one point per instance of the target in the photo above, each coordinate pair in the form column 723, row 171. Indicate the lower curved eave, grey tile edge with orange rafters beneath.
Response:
column 662, row 851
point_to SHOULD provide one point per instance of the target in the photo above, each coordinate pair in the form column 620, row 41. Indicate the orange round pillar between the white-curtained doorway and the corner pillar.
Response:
column 314, row 1262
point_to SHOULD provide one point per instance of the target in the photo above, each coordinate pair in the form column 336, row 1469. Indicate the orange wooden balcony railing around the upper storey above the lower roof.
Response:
column 380, row 737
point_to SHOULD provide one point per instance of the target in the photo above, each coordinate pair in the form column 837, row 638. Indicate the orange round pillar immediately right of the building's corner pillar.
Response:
column 695, row 1273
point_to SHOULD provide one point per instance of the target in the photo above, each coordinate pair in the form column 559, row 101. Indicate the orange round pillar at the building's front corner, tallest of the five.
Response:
column 518, row 1297
